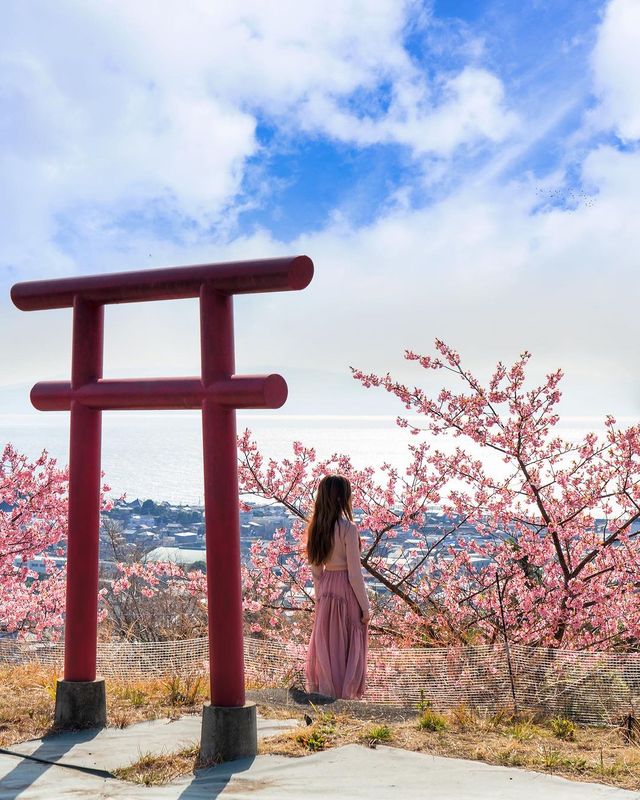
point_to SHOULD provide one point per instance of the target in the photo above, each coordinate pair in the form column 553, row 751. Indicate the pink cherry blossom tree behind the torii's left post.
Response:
column 148, row 602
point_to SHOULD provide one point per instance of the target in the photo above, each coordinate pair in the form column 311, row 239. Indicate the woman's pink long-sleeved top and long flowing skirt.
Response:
column 336, row 662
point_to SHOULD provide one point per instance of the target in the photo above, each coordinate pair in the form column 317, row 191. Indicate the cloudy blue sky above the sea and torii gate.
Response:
column 466, row 170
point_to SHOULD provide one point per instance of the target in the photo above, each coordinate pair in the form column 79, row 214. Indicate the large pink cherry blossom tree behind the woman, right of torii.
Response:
column 555, row 561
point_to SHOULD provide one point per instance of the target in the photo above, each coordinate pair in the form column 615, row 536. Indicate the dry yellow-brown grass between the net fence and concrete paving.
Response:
column 603, row 755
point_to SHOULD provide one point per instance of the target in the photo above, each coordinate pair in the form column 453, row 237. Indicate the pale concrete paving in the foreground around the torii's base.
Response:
column 81, row 761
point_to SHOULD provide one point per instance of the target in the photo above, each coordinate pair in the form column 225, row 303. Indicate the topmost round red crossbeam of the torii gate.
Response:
column 173, row 283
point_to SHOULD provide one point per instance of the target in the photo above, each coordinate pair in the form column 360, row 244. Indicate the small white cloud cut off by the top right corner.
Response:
column 616, row 64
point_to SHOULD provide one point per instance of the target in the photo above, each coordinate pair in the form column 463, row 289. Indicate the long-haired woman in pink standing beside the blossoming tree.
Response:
column 337, row 655
